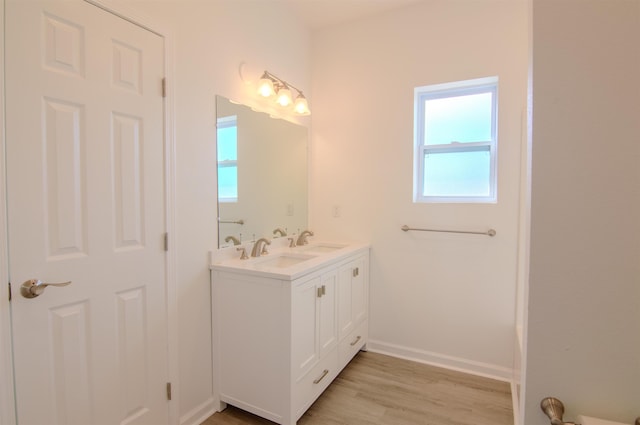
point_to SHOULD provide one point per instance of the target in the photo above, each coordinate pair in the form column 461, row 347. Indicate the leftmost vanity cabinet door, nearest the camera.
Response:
column 305, row 314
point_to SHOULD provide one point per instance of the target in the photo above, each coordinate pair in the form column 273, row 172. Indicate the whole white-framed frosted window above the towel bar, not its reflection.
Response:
column 455, row 141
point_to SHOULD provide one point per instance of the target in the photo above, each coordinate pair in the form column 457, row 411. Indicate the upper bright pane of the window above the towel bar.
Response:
column 458, row 119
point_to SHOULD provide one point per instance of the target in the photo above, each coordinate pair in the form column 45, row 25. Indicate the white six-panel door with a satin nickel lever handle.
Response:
column 85, row 155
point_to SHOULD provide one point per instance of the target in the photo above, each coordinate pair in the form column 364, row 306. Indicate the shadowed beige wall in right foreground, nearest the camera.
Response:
column 583, row 338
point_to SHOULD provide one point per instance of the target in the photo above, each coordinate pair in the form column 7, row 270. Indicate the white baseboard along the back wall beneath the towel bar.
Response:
column 448, row 362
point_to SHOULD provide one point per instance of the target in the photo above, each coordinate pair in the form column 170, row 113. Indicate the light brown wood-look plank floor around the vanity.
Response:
column 383, row 390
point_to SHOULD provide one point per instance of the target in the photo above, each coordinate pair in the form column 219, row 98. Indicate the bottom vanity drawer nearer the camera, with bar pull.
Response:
column 309, row 387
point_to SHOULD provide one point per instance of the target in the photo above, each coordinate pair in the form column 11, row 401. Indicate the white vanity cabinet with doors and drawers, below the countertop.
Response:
column 280, row 339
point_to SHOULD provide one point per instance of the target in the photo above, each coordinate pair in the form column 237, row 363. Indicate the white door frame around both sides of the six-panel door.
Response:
column 7, row 394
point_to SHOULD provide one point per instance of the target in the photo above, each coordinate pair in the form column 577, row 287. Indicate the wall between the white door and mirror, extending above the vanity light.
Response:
column 212, row 38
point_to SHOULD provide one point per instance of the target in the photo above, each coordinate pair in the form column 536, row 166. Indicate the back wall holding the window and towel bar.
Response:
column 442, row 298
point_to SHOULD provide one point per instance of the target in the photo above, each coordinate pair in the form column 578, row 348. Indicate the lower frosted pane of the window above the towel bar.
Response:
column 457, row 173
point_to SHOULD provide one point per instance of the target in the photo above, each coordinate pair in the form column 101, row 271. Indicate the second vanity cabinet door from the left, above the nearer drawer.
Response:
column 327, row 323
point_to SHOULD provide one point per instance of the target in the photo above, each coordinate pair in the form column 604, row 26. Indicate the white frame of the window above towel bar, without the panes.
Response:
column 458, row 88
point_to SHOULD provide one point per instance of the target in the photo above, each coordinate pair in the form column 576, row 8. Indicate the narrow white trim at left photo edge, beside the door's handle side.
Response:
column 7, row 394
